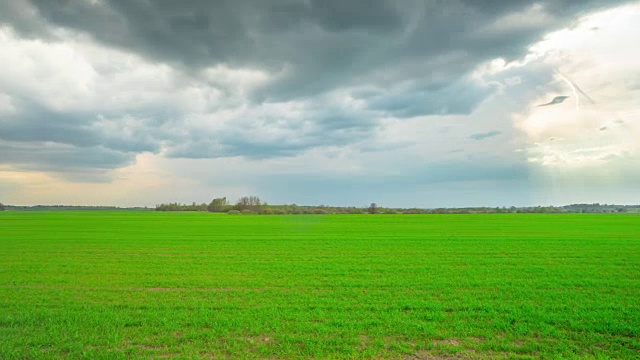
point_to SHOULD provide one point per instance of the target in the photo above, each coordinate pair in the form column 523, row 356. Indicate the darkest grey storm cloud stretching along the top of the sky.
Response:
column 322, row 44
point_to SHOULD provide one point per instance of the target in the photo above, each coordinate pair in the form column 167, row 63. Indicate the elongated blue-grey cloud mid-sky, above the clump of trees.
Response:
column 267, row 136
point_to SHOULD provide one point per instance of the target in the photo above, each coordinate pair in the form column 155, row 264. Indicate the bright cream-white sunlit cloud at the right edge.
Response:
column 592, row 64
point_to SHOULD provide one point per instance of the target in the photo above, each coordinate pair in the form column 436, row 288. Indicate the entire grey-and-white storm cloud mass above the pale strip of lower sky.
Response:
column 89, row 85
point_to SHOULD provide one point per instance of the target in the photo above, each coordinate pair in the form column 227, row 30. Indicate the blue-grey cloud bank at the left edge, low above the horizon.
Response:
column 76, row 145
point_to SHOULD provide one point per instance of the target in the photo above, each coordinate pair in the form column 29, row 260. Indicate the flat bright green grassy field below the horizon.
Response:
column 198, row 285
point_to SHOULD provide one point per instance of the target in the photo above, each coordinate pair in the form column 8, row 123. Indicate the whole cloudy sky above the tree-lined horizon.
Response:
column 407, row 103
